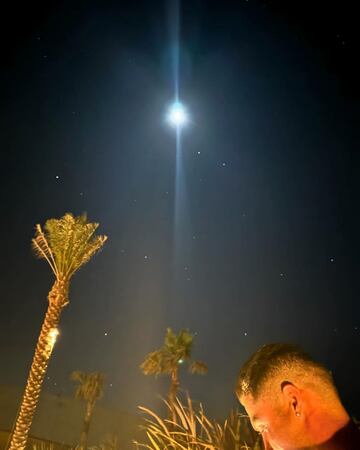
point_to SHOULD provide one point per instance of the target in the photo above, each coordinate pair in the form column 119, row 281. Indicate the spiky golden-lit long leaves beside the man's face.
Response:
column 191, row 429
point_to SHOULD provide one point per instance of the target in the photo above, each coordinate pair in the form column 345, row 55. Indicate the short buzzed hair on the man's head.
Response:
column 272, row 359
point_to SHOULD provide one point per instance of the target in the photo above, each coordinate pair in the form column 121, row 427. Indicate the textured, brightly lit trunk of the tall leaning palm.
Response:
column 58, row 298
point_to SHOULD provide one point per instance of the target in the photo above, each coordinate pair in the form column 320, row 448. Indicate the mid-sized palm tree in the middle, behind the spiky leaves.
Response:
column 175, row 351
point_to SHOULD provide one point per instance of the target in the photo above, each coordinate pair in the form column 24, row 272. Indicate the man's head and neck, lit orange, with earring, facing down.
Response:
column 287, row 396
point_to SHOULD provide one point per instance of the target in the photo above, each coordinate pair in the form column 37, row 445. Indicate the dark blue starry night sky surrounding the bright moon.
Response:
column 266, row 242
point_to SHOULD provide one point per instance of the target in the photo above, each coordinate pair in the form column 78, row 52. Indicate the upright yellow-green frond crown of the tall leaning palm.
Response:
column 67, row 243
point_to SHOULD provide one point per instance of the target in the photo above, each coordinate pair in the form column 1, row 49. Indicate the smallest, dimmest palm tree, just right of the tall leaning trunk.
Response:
column 90, row 389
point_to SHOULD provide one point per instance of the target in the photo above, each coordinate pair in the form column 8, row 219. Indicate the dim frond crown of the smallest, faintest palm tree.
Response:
column 90, row 385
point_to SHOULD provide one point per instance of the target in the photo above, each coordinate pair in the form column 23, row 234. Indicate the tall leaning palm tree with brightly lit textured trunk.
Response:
column 66, row 244
